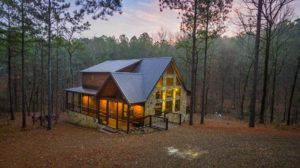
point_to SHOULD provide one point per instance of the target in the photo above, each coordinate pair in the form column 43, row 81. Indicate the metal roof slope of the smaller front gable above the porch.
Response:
column 131, row 85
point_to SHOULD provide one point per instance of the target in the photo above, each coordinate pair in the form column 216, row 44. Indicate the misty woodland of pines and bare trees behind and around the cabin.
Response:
column 41, row 55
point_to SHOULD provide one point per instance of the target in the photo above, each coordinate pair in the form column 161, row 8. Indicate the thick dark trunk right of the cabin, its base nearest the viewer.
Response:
column 254, row 85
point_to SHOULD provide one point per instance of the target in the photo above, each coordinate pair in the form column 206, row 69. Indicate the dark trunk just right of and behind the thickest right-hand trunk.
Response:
column 265, row 78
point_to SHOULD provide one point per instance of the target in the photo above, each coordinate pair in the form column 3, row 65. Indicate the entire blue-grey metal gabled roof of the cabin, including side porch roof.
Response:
column 135, row 86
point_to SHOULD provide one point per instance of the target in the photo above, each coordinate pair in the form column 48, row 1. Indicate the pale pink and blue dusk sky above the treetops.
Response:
column 144, row 16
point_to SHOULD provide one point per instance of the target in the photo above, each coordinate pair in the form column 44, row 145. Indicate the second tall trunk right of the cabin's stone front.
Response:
column 204, row 66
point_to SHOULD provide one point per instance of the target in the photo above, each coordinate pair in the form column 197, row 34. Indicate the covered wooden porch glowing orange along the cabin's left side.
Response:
column 115, row 113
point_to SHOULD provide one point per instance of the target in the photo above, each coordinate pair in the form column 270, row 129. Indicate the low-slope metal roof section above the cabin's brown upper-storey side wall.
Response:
column 111, row 65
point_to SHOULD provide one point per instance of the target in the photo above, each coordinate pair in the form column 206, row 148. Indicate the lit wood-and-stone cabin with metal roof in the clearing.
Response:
column 126, row 94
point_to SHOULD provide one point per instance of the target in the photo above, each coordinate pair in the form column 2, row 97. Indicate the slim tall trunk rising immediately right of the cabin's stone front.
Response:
column 194, row 70
